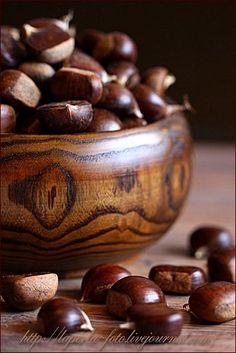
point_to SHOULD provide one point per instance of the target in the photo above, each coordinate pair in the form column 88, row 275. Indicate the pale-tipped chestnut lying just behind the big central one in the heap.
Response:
column 83, row 61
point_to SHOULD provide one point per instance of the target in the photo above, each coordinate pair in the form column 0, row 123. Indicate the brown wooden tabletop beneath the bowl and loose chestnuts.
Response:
column 211, row 201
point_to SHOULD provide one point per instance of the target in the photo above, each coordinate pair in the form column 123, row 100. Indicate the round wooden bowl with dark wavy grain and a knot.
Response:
column 72, row 201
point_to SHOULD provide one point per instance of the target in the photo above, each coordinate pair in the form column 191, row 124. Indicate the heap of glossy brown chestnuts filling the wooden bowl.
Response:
column 54, row 81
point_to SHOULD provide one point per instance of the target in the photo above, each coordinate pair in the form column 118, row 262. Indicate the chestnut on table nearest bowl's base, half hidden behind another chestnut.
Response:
column 99, row 279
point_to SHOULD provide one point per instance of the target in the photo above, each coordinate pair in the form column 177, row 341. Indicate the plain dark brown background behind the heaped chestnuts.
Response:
column 194, row 39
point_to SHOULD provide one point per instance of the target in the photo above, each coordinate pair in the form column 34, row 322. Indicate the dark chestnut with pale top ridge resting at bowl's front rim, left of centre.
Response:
column 65, row 117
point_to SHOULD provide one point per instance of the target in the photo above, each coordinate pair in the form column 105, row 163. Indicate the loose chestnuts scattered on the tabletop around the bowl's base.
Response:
column 139, row 300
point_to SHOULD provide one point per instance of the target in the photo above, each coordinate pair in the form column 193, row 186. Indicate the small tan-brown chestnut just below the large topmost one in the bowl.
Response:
column 40, row 73
